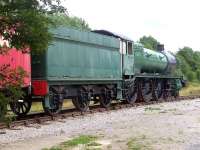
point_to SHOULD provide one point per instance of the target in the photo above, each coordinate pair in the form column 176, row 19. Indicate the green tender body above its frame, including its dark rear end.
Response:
column 78, row 55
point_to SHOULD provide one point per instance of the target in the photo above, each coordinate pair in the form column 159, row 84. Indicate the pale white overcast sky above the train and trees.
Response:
column 175, row 23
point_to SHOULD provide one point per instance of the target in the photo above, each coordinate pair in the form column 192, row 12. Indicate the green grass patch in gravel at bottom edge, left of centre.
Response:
column 87, row 141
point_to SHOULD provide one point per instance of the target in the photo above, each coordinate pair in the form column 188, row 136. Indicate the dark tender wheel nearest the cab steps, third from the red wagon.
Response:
column 105, row 99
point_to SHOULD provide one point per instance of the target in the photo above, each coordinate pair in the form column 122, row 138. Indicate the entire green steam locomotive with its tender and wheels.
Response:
column 99, row 66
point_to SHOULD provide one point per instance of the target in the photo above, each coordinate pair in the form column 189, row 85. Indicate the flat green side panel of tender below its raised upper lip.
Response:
column 67, row 59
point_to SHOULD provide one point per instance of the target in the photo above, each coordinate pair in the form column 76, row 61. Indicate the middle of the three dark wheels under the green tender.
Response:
column 82, row 101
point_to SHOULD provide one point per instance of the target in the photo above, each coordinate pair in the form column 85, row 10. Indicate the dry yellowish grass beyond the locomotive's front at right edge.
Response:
column 191, row 89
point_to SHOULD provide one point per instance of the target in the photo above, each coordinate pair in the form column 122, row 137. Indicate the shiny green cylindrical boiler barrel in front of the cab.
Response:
column 149, row 61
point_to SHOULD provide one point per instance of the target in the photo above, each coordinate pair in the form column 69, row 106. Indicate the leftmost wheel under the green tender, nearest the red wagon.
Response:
column 54, row 104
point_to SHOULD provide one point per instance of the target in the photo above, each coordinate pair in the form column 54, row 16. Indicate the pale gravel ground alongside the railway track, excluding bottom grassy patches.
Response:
column 168, row 125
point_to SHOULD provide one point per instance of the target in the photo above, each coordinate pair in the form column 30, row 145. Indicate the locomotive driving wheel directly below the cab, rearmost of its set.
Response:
column 131, row 94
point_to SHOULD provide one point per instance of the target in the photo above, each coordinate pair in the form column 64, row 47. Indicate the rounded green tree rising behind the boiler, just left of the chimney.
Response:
column 149, row 42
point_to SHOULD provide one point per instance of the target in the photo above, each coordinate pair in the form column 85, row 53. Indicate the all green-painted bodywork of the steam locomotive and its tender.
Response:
column 79, row 58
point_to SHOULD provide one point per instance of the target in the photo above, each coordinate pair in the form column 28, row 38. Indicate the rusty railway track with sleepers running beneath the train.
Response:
column 42, row 118
